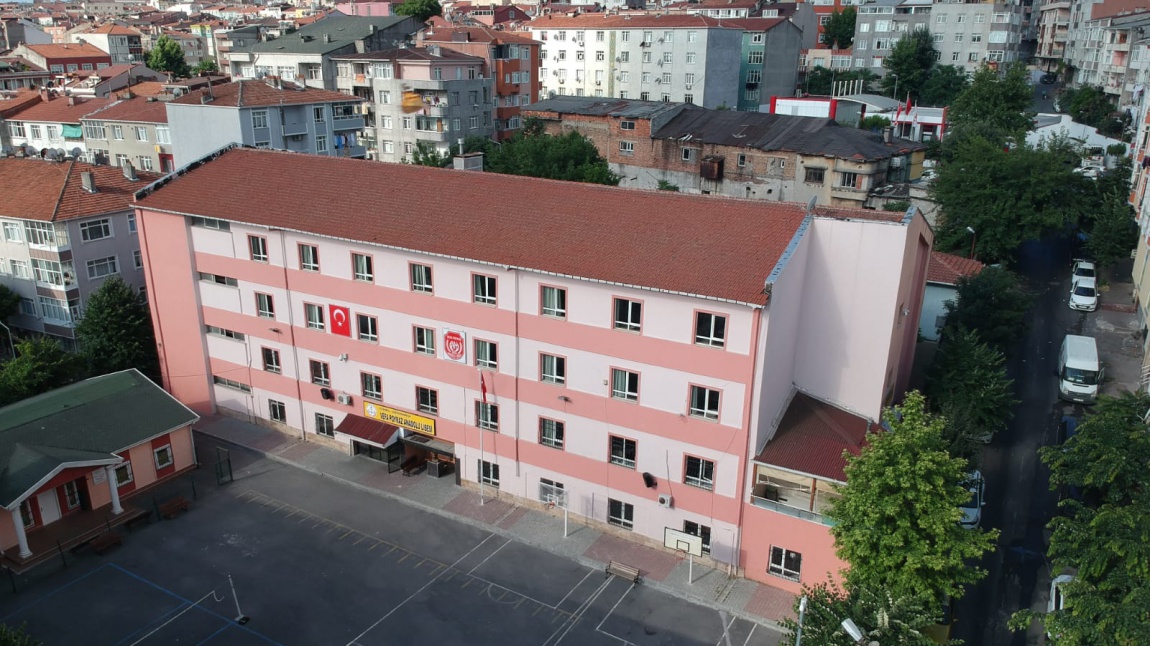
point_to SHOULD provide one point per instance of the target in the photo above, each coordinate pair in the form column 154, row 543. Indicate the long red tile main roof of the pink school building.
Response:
column 704, row 245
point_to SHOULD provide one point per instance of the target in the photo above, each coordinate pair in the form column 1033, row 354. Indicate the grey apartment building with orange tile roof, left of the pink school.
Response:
column 65, row 227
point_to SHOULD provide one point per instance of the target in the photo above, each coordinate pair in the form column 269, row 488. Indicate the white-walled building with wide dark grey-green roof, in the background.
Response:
column 306, row 56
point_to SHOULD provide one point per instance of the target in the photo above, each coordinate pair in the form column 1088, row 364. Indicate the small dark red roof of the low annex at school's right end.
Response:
column 812, row 437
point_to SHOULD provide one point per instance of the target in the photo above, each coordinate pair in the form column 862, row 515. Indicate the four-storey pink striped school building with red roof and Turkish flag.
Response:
column 658, row 360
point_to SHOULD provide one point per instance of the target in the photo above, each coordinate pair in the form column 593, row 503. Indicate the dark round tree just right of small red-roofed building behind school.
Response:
column 992, row 304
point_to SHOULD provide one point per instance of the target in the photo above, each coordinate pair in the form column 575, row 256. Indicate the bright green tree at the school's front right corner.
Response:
column 898, row 521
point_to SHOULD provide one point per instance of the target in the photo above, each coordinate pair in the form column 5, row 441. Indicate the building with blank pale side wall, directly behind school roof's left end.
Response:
column 266, row 114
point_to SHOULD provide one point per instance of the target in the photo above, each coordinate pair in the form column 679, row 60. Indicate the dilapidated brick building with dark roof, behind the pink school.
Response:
column 763, row 157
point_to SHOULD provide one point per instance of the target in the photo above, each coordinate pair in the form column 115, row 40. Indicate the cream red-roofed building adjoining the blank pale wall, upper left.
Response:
column 131, row 133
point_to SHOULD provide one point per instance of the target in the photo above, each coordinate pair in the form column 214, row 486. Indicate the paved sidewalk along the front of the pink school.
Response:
column 666, row 573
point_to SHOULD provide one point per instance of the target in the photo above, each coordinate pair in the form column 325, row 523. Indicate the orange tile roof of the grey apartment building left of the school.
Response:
column 53, row 191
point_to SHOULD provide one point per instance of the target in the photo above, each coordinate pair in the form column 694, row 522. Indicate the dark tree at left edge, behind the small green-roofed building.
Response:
column 41, row 366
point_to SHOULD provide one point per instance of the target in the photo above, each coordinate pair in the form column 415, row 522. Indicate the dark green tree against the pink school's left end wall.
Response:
column 116, row 333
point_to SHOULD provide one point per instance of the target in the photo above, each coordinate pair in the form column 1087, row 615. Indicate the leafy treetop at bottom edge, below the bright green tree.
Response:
column 880, row 617
